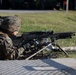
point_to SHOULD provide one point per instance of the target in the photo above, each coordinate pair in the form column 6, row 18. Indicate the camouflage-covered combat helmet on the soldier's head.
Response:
column 11, row 23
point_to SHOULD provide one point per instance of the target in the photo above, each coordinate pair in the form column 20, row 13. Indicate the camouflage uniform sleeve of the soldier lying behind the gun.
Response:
column 7, row 49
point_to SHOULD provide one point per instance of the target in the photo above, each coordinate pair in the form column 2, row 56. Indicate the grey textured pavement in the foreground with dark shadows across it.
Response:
column 64, row 66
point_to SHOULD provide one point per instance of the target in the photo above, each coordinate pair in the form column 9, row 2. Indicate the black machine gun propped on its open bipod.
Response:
column 35, row 42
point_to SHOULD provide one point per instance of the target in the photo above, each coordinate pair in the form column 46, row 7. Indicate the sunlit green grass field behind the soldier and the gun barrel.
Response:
column 56, row 21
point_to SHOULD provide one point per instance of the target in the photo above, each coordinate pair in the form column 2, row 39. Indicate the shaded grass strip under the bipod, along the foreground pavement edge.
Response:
column 54, row 54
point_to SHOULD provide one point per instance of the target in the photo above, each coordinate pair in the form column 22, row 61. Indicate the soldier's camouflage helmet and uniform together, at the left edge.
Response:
column 9, row 24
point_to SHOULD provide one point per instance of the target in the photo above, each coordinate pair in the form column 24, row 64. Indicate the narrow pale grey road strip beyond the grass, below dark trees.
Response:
column 27, row 11
